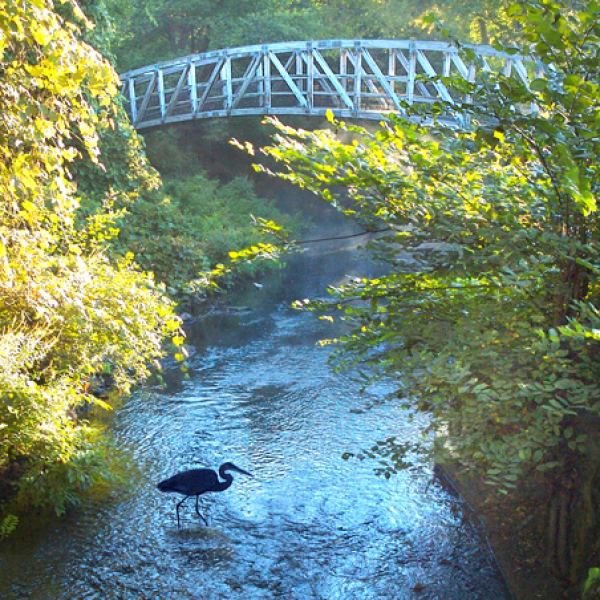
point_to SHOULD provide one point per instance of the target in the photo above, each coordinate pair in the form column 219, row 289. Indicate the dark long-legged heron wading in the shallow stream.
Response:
column 196, row 482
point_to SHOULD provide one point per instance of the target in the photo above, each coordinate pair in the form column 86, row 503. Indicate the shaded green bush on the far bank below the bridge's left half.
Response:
column 191, row 224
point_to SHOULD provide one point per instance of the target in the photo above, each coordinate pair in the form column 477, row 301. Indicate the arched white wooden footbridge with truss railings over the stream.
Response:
column 353, row 78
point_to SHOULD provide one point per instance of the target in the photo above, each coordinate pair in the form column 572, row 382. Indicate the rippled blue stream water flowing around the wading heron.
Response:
column 308, row 525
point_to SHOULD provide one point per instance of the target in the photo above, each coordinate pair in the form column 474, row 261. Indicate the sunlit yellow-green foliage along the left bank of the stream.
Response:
column 68, row 315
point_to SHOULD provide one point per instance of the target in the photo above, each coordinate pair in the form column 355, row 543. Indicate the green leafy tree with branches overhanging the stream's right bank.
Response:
column 488, row 318
